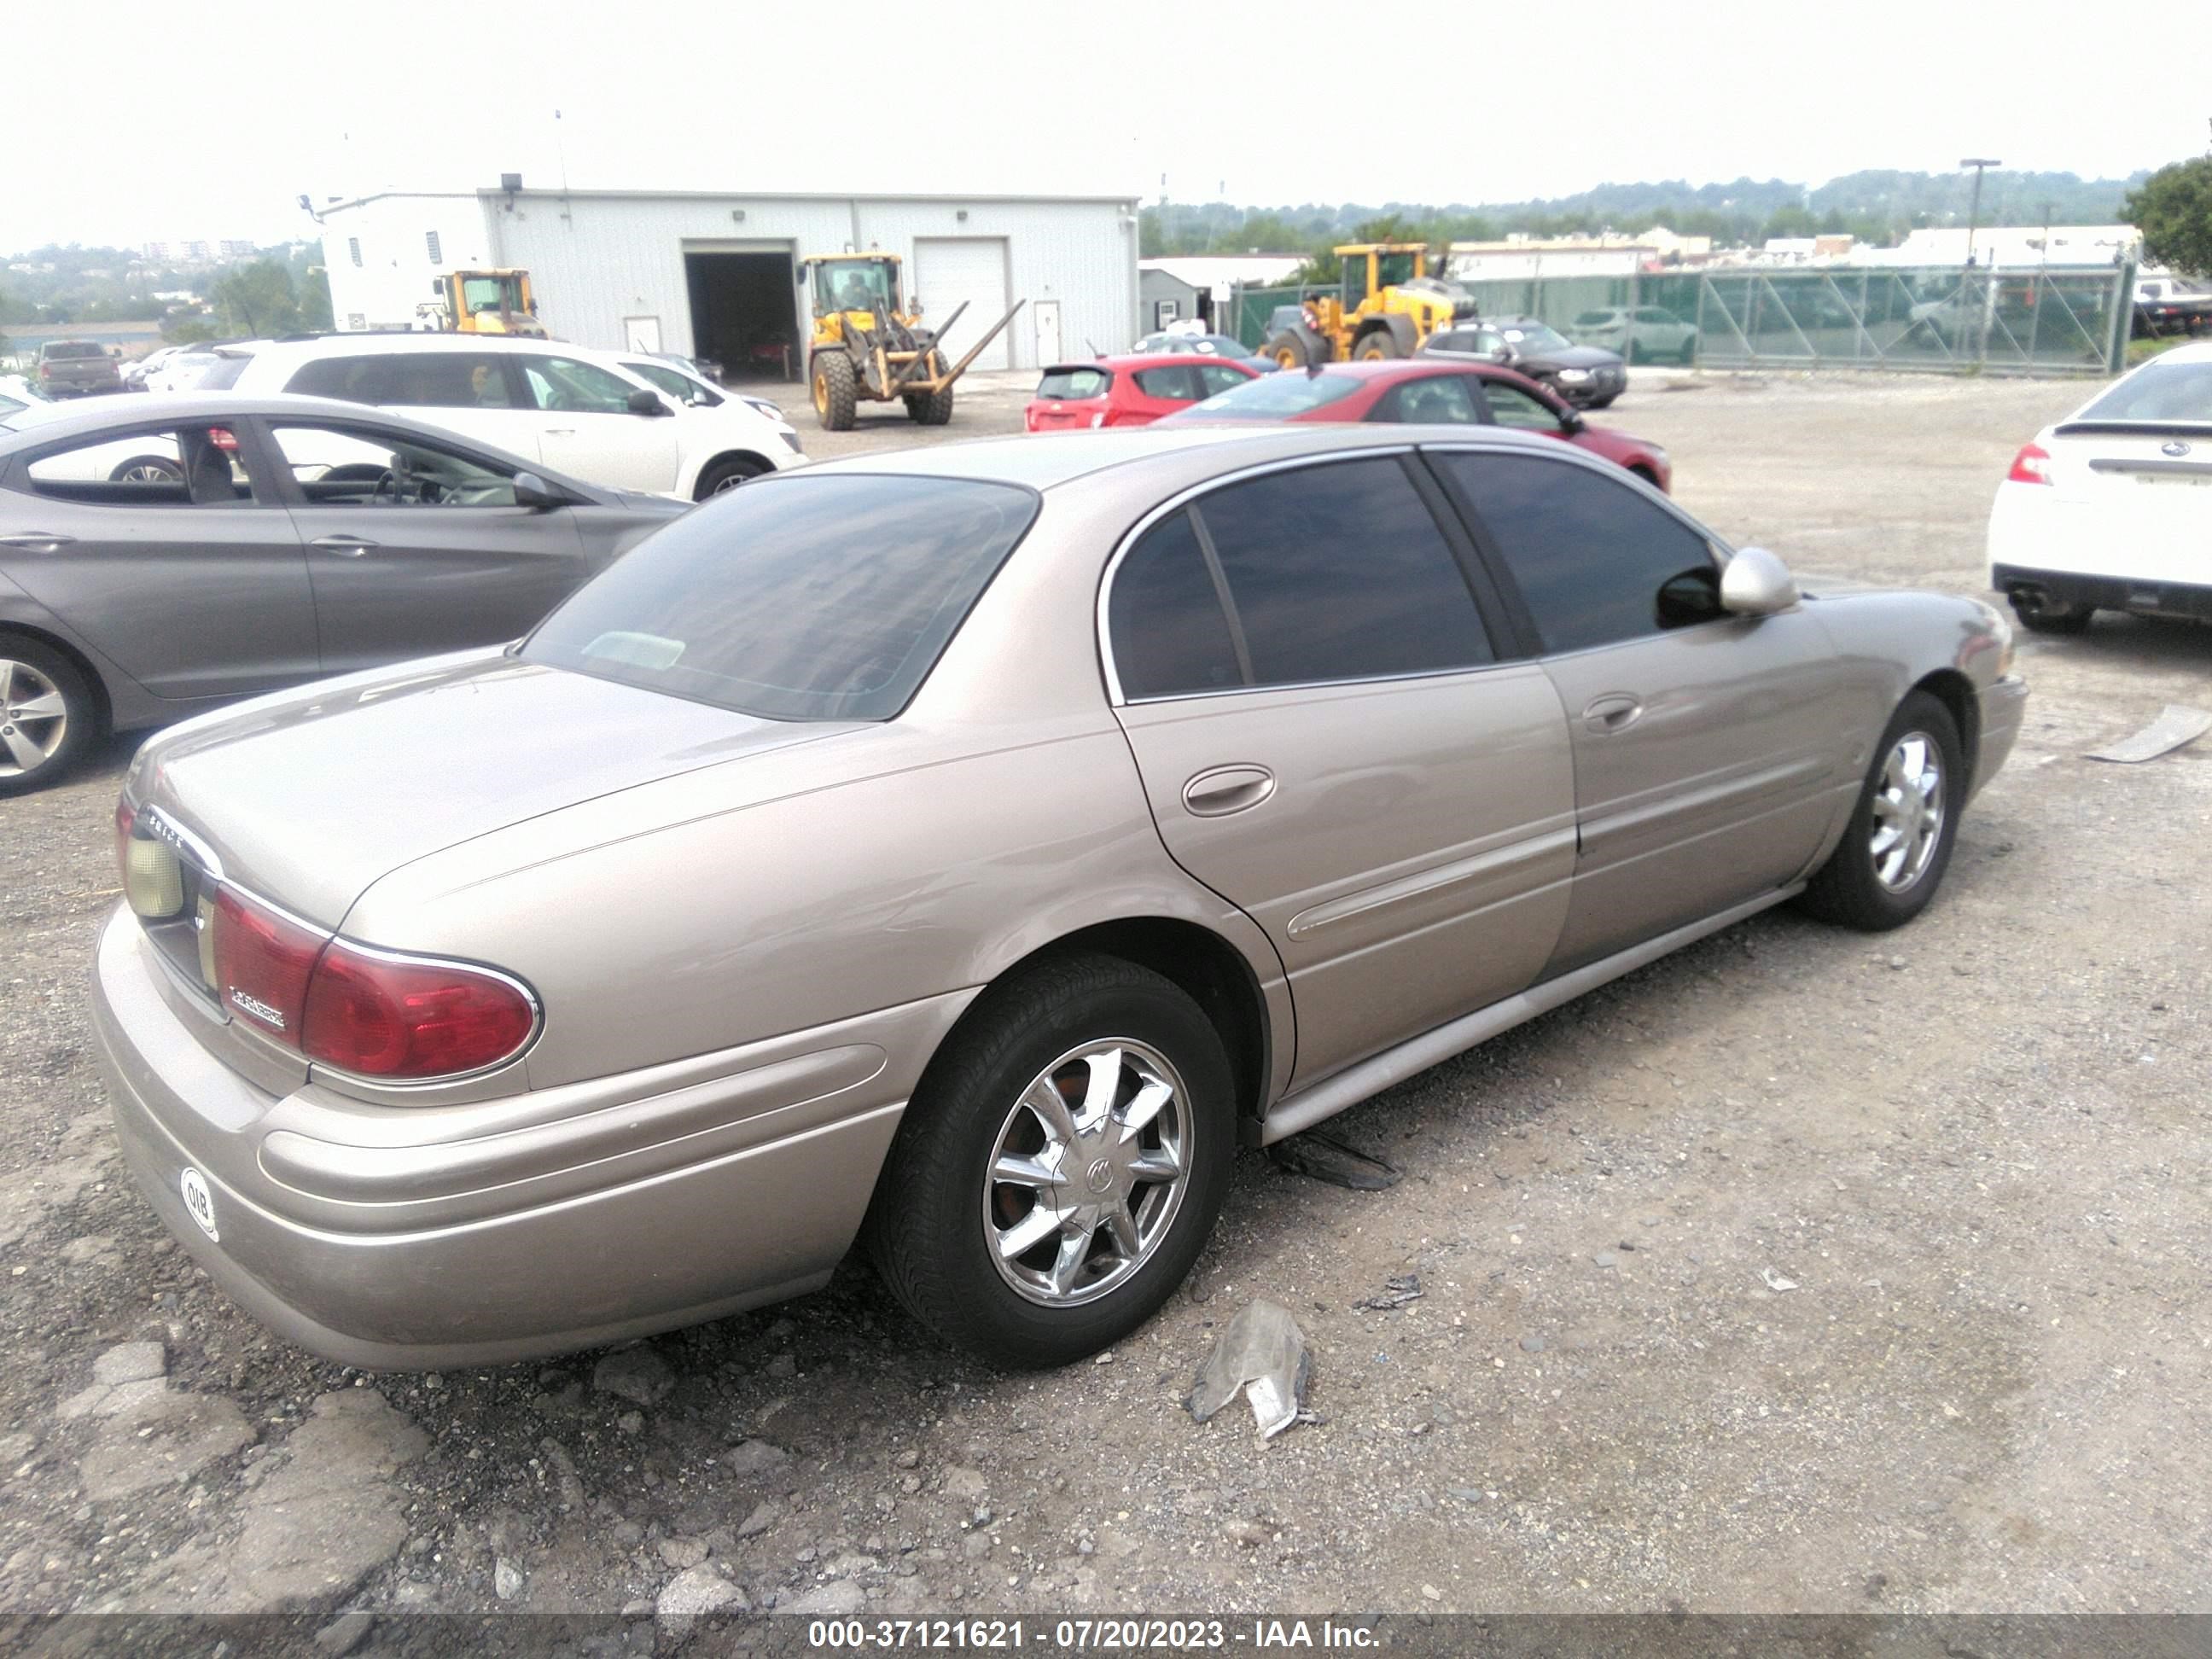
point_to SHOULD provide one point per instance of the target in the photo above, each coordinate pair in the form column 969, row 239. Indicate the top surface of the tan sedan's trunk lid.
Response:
column 309, row 797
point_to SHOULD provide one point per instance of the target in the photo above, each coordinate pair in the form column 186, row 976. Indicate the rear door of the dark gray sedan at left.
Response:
column 163, row 552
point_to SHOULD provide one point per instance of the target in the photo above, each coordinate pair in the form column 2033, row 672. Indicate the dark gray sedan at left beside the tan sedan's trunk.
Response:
column 165, row 556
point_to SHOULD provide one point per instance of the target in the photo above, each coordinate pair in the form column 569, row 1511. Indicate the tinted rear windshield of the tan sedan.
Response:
column 795, row 601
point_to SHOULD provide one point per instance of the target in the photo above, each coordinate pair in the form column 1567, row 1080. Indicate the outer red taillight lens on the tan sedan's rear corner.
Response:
column 406, row 1019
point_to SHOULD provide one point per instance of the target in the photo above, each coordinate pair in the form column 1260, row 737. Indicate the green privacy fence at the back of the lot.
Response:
column 1844, row 317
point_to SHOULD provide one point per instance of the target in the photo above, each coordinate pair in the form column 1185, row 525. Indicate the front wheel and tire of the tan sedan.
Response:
column 1897, row 844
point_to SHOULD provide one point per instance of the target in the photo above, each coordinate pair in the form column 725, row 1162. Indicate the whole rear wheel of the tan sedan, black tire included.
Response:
column 1061, row 1165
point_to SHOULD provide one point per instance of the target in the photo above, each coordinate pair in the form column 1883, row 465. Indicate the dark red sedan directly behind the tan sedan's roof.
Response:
column 1432, row 395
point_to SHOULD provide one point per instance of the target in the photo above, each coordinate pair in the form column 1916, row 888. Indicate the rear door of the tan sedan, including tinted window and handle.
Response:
column 1328, row 742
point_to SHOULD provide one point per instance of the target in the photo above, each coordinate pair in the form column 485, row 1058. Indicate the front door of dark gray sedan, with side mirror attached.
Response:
column 417, row 547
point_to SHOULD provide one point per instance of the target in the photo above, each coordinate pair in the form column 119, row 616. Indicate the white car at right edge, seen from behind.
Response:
column 2111, row 508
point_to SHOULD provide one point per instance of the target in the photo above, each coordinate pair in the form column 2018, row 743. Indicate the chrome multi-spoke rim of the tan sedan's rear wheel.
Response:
column 1087, row 1173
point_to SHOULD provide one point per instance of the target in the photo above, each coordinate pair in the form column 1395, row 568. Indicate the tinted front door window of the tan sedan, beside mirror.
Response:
column 1587, row 554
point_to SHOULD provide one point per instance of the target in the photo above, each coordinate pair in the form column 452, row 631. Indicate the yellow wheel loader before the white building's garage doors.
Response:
column 870, row 346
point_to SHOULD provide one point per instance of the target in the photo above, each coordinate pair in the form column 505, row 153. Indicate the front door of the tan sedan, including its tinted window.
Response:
column 1711, row 751
